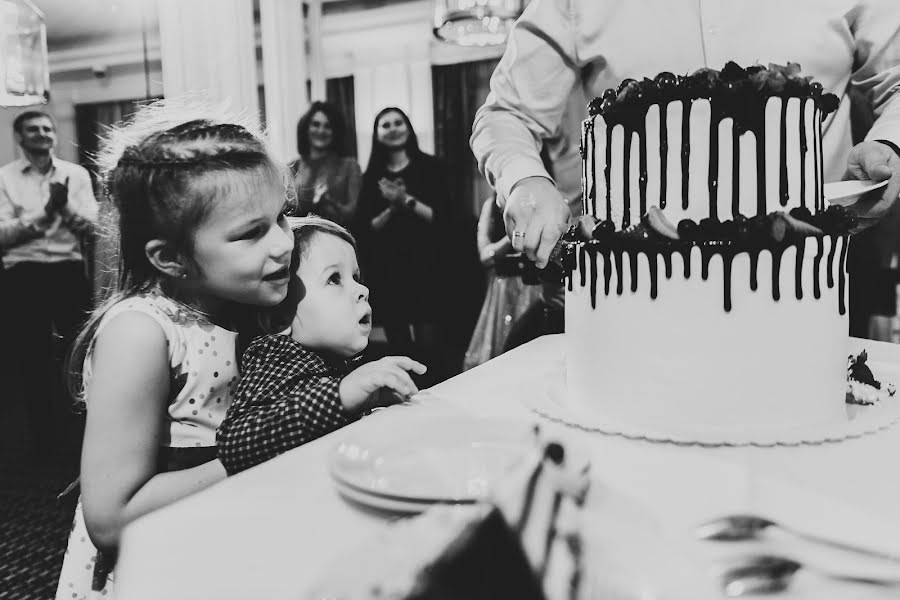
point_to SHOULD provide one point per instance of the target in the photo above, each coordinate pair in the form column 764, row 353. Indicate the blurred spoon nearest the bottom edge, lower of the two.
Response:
column 770, row 574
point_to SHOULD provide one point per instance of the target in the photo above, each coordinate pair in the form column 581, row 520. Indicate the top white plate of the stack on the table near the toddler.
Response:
column 432, row 458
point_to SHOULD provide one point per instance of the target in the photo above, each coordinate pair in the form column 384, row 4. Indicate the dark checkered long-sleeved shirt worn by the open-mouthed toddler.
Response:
column 287, row 396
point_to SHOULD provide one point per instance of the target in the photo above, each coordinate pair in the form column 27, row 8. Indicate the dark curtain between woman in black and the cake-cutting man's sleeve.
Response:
column 459, row 90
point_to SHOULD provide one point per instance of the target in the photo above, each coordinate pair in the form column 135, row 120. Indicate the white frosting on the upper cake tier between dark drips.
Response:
column 698, row 163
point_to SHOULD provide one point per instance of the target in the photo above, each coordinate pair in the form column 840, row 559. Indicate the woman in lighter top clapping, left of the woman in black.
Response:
column 326, row 179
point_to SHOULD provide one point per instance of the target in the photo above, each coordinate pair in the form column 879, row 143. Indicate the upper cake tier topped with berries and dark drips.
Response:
column 711, row 144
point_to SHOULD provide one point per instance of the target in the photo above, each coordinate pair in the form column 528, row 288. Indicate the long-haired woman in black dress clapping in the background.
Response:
column 398, row 227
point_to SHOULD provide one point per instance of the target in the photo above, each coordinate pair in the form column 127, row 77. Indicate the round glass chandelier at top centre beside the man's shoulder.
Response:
column 475, row 22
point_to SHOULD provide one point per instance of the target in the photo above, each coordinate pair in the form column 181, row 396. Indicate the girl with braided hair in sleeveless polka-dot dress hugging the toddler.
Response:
column 202, row 239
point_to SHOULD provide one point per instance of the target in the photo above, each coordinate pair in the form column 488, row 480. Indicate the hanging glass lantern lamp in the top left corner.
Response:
column 24, row 74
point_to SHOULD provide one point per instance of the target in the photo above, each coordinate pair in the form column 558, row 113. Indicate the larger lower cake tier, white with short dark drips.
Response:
column 708, row 341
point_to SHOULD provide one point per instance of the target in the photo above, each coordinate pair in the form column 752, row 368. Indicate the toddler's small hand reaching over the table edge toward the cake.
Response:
column 361, row 389
